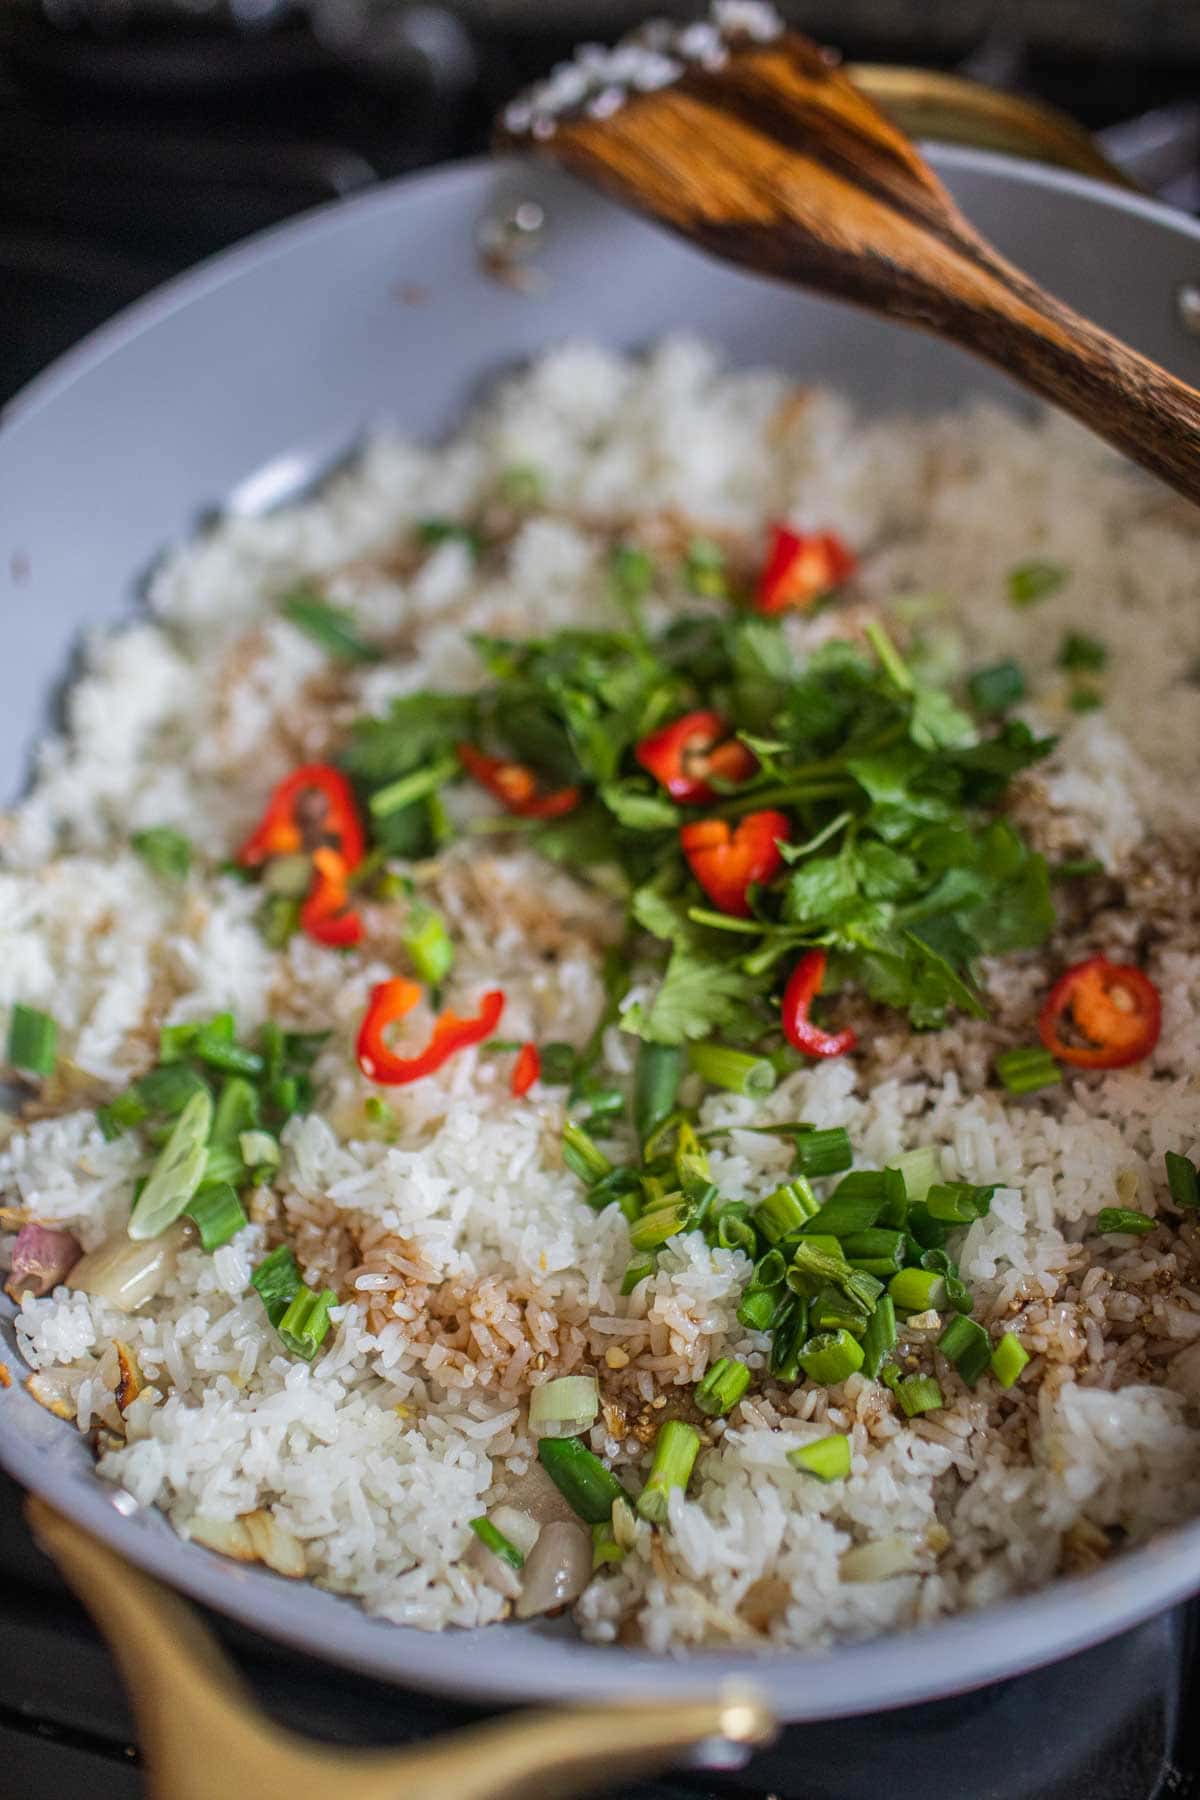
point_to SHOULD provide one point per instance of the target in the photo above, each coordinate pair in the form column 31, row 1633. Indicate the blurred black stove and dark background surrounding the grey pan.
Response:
column 141, row 136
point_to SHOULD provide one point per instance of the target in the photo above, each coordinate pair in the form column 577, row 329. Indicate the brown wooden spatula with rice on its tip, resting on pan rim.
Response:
column 753, row 145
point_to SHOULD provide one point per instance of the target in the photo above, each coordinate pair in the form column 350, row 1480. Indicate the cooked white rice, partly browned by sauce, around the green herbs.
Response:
column 467, row 1261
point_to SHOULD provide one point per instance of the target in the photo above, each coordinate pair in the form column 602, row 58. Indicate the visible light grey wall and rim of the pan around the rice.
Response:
column 242, row 384
